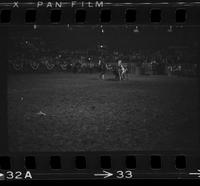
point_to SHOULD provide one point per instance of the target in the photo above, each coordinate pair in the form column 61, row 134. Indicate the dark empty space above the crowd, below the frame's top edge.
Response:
column 115, row 37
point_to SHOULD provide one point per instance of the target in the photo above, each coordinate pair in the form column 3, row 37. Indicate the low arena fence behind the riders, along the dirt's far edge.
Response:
column 133, row 68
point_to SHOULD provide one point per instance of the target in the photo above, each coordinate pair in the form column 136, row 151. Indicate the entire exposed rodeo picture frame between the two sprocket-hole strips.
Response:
column 103, row 88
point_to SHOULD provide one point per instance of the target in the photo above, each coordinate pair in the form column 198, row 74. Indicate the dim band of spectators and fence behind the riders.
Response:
column 40, row 58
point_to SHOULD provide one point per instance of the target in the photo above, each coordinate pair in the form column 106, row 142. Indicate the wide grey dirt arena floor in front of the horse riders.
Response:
column 60, row 112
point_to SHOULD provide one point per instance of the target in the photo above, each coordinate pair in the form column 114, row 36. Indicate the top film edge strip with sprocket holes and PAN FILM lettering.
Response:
column 118, row 11
